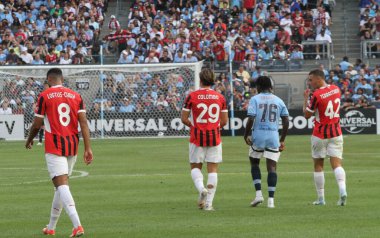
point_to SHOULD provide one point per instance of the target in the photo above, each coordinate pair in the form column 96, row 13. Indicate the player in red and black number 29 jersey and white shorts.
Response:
column 209, row 114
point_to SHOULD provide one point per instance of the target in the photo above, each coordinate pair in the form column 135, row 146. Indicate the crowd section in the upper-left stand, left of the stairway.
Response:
column 50, row 32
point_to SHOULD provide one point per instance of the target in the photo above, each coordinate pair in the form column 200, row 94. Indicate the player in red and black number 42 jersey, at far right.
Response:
column 327, row 137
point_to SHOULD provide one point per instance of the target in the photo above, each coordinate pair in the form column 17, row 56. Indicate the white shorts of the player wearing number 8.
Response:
column 60, row 165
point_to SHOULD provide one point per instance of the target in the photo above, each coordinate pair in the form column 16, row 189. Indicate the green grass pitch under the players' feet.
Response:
column 142, row 188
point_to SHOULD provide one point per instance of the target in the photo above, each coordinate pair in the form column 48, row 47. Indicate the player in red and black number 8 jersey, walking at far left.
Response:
column 61, row 109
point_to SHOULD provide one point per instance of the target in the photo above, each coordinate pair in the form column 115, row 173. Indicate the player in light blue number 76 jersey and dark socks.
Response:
column 264, row 111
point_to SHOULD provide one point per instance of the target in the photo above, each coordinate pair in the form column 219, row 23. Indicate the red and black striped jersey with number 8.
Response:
column 60, row 106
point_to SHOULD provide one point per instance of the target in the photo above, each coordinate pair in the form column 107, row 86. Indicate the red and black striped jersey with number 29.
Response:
column 205, row 105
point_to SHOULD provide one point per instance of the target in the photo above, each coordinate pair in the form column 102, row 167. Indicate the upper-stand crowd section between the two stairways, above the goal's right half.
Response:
column 249, row 30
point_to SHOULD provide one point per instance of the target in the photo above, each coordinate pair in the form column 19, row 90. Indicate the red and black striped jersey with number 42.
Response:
column 325, row 103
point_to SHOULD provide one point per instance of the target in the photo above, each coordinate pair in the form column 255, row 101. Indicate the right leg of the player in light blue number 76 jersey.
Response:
column 272, row 156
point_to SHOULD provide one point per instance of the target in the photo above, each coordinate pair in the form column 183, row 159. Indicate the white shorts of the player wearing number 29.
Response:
column 199, row 154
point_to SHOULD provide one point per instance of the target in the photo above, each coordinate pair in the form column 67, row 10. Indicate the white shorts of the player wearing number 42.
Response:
column 320, row 148
